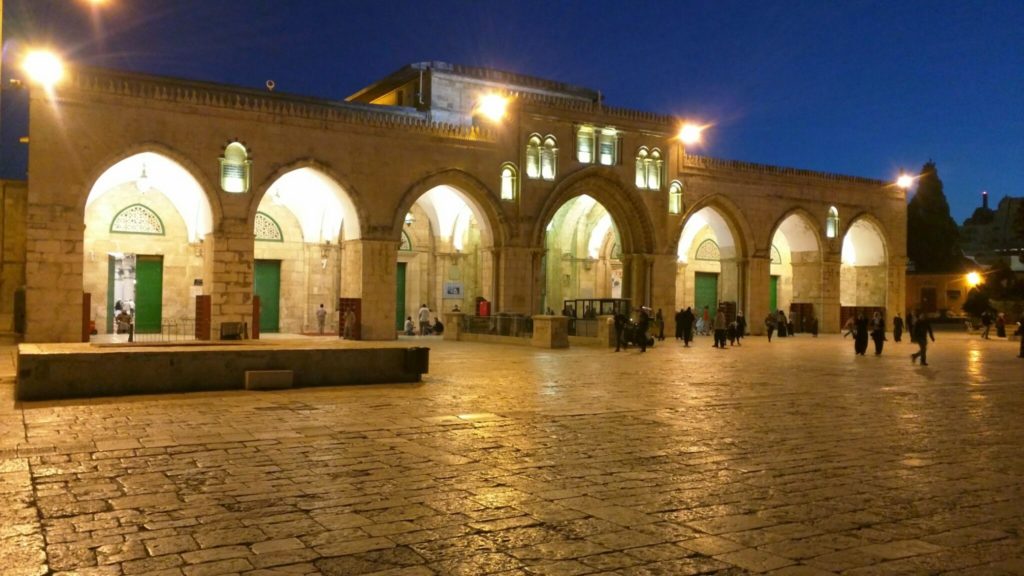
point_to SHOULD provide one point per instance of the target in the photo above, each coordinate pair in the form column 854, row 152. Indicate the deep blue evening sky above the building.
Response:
column 859, row 88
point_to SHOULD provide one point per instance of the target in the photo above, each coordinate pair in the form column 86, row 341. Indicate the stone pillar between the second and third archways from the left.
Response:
column 371, row 274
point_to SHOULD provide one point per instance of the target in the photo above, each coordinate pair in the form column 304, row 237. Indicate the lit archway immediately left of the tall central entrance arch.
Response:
column 445, row 258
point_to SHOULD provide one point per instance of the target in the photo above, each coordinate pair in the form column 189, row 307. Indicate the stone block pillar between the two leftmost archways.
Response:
column 231, row 272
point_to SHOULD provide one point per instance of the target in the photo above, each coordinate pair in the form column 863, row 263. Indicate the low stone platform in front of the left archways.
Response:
column 58, row 372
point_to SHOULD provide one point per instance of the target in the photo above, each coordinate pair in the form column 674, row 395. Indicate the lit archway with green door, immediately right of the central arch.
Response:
column 708, row 272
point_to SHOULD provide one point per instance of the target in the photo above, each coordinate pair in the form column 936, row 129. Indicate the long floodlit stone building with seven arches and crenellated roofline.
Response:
column 155, row 191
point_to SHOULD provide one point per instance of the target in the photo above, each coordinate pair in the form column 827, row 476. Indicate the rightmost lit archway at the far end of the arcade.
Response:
column 864, row 272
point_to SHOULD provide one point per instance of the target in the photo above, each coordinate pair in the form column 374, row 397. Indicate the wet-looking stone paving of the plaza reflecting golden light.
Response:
column 793, row 458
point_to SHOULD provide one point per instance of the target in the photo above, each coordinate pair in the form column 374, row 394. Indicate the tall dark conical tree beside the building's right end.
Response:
column 933, row 239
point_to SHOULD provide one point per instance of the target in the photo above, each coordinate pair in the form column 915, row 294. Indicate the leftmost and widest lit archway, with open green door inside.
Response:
column 146, row 219
